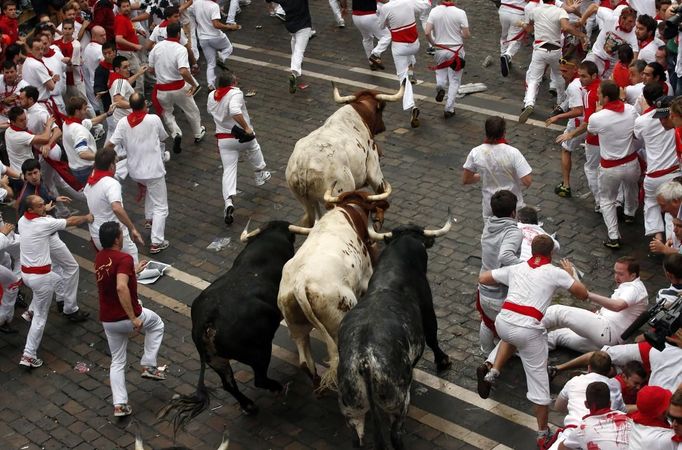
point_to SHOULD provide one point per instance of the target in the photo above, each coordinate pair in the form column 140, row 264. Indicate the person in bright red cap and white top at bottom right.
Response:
column 651, row 430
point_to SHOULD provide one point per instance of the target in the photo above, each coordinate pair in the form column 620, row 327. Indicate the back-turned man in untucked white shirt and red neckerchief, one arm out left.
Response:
column 141, row 136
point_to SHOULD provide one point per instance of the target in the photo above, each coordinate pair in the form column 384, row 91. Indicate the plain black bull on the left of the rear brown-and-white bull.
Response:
column 236, row 317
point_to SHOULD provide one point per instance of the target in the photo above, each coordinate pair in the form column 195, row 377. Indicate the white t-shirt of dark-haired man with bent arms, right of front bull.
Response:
column 501, row 166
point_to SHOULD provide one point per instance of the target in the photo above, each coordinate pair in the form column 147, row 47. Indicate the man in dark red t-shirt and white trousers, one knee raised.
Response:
column 121, row 313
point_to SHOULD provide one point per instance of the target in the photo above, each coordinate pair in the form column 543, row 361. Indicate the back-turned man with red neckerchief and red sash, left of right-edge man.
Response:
column 618, row 167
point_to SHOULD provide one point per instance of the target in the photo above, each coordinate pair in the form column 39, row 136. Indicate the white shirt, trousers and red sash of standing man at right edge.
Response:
column 662, row 165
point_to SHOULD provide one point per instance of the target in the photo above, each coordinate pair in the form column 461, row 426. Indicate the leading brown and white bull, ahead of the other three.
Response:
column 342, row 152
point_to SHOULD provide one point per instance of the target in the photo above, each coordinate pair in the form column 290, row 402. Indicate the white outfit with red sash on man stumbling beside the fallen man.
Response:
column 531, row 287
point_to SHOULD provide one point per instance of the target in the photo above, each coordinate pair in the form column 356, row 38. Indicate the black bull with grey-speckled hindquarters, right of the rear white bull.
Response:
column 382, row 338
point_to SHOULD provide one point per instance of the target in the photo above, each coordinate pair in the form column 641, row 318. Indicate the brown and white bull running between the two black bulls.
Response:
column 328, row 274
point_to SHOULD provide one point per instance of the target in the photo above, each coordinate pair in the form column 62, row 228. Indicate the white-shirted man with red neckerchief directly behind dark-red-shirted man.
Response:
column 105, row 202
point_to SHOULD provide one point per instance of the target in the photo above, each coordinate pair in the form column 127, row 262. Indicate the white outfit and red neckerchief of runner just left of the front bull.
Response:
column 223, row 104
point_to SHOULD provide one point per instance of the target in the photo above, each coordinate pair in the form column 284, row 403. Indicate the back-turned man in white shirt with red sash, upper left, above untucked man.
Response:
column 175, row 86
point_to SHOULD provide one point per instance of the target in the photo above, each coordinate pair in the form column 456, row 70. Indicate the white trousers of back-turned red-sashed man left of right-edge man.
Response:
column 610, row 182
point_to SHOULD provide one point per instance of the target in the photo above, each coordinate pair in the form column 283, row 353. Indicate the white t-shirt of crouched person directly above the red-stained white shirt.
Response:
column 574, row 391
